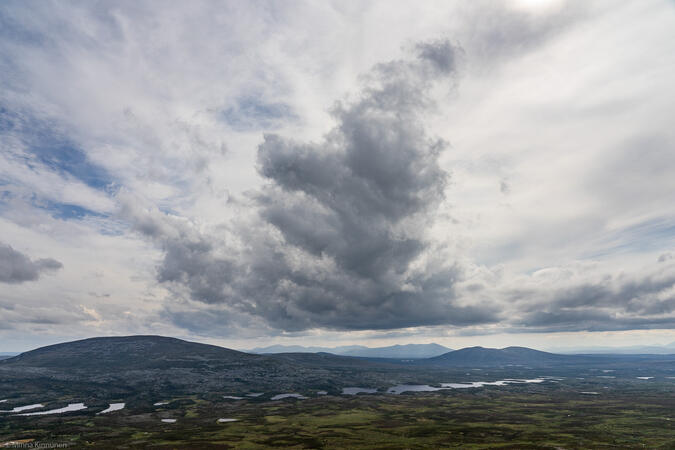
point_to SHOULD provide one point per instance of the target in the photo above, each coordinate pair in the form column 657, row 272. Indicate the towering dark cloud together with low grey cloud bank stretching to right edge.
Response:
column 337, row 238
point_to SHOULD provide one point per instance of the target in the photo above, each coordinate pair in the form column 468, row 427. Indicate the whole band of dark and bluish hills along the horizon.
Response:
column 155, row 366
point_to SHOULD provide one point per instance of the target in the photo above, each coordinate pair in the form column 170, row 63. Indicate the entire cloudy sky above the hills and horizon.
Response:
column 338, row 172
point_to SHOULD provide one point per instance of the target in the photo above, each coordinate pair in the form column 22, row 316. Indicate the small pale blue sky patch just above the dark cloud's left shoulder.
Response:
column 252, row 113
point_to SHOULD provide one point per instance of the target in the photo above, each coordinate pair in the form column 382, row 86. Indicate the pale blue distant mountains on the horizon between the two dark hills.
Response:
column 408, row 351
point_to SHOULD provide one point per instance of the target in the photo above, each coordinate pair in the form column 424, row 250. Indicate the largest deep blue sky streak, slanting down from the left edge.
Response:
column 45, row 144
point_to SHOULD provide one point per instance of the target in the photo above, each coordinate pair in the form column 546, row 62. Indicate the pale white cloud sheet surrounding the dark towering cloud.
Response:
column 568, row 105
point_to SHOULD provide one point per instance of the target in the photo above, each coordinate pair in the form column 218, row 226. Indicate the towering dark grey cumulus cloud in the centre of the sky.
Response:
column 339, row 234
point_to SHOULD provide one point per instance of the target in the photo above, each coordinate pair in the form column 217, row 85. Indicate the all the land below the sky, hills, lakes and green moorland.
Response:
column 228, row 399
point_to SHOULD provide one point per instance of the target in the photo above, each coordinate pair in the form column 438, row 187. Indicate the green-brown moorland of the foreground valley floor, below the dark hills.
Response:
column 624, row 414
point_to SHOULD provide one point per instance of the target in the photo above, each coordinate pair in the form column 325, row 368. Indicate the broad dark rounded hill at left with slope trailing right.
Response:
column 141, row 365
